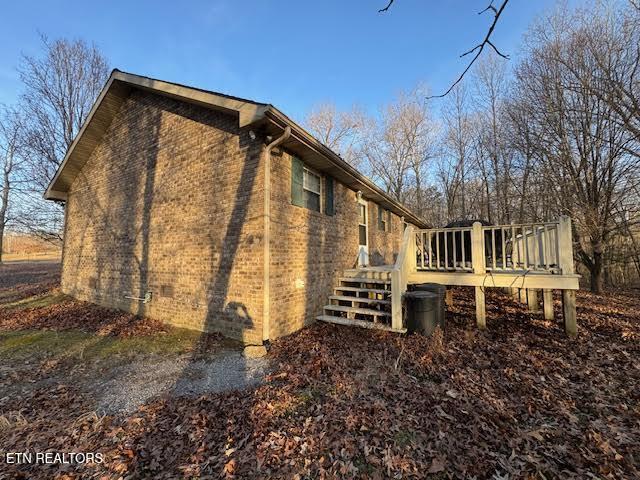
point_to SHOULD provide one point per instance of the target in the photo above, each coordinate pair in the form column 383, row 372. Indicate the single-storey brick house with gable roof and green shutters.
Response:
column 213, row 212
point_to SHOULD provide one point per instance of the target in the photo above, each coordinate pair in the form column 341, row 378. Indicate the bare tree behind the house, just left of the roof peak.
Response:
column 61, row 86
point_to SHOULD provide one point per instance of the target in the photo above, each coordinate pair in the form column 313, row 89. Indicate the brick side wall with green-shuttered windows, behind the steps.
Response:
column 310, row 250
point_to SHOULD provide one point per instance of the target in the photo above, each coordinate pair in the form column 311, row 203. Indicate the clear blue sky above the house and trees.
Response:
column 293, row 54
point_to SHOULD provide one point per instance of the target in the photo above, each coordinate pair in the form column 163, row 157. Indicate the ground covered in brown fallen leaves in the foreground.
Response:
column 519, row 400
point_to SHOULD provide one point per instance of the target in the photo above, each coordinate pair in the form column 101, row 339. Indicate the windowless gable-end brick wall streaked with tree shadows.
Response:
column 170, row 202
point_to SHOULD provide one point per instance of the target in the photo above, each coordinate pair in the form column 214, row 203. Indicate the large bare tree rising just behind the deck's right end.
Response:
column 585, row 148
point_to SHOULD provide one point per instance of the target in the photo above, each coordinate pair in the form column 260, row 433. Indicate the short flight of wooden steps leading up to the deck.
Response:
column 362, row 299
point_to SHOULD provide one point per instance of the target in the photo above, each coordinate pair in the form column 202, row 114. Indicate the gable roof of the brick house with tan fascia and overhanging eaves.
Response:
column 249, row 113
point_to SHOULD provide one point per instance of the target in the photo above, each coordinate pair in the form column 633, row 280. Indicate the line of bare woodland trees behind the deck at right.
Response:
column 557, row 132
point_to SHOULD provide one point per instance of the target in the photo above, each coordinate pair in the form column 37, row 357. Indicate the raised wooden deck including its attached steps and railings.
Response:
column 527, row 260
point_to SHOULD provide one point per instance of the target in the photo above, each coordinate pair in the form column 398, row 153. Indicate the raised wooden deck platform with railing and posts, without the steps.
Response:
column 527, row 259
